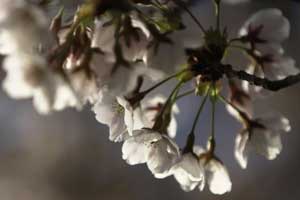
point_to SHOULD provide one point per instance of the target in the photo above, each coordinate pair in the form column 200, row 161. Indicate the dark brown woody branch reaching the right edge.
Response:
column 263, row 82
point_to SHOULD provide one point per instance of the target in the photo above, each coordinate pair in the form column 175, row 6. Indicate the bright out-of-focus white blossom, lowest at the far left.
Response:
column 28, row 76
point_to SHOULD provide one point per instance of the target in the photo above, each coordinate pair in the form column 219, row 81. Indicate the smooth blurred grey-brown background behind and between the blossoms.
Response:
column 67, row 155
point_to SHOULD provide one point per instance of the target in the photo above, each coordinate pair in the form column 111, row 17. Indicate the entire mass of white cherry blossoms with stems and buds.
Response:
column 114, row 54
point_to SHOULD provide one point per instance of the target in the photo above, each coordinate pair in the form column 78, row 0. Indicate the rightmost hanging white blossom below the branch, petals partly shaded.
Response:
column 263, row 136
